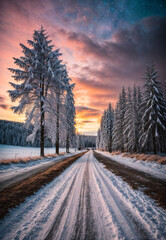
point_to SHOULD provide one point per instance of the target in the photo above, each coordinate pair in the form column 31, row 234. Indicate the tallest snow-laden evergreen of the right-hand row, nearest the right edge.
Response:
column 154, row 108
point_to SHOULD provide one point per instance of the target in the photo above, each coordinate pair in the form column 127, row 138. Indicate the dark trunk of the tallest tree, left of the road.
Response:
column 42, row 120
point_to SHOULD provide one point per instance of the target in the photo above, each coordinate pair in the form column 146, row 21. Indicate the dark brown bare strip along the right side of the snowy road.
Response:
column 153, row 187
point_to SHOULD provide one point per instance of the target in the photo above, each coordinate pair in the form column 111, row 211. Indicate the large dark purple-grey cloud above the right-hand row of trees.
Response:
column 122, row 61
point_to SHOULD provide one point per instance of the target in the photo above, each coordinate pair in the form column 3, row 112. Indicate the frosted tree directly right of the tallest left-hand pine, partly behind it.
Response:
column 56, row 118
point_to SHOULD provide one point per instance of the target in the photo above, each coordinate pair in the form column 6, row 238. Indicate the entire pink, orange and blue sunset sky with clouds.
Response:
column 106, row 44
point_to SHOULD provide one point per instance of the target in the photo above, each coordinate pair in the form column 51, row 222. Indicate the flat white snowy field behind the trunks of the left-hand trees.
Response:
column 14, row 152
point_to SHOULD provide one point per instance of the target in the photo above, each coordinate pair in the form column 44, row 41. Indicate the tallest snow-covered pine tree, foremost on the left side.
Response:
column 36, row 77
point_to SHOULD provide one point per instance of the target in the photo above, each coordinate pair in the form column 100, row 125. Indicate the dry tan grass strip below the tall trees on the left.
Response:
column 27, row 159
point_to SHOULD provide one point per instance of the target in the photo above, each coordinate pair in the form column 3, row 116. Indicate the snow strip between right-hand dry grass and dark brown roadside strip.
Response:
column 155, row 169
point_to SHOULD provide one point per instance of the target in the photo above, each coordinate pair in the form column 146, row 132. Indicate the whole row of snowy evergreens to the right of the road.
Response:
column 138, row 123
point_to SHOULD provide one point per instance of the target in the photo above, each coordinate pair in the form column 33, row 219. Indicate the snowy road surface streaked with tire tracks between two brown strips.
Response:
column 86, row 202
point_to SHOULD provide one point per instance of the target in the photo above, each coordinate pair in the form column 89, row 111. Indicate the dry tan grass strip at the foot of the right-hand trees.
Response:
column 146, row 157
